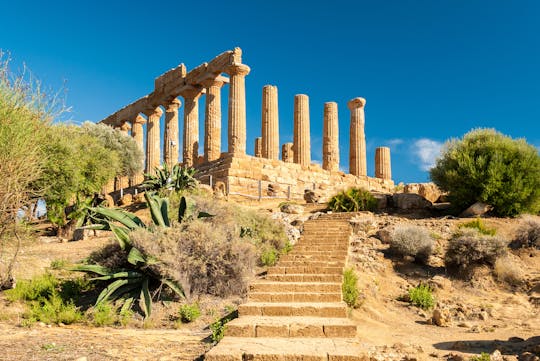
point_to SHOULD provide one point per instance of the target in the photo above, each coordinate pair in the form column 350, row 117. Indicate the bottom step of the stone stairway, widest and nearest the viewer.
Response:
column 286, row 349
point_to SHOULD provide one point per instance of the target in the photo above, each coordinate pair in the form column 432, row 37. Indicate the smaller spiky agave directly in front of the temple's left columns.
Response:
column 177, row 178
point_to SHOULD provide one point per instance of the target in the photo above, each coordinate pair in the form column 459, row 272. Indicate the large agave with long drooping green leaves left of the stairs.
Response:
column 135, row 280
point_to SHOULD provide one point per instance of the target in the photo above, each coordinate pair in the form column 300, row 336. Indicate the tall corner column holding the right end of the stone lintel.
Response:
column 237, row 108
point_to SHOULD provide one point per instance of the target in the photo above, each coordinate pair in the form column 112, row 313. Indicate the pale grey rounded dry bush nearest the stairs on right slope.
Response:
column 409, row 240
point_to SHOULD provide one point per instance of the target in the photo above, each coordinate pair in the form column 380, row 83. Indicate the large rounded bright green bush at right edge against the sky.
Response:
column 490, row 167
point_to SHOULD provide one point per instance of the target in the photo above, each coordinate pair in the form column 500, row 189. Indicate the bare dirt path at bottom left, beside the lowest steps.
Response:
column 96, row 344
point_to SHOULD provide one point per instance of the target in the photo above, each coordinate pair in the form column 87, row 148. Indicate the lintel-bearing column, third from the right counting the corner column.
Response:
column 190, row 150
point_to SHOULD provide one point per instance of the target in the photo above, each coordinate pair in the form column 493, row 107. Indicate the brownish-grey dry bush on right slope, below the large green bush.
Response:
column 468, row 248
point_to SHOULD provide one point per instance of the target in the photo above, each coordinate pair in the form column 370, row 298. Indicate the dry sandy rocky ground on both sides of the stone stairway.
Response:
column 481, row 314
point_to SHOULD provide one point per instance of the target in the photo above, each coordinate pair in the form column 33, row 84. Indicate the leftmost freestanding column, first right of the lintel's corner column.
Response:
column 270, row 123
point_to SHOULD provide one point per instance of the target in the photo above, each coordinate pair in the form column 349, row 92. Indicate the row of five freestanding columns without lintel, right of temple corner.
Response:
column 299, row 151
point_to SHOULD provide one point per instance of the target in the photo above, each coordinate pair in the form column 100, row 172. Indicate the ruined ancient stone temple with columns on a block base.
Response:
column 228, row 165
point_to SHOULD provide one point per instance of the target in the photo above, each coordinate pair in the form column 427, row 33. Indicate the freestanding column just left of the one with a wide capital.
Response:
column 330, row 137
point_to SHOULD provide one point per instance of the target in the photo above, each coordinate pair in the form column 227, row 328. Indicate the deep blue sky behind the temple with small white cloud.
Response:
column 429, row 69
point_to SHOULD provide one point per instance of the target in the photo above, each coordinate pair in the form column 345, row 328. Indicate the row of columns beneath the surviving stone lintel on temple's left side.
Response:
column 212, row 128
